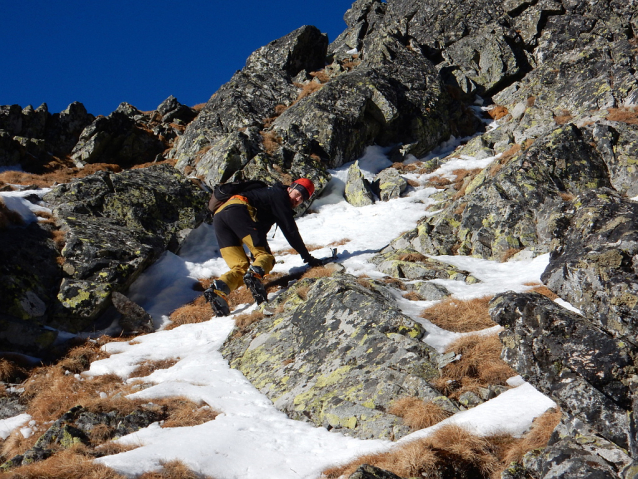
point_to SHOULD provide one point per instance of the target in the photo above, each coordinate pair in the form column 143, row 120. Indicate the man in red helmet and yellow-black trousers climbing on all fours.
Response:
column 246, row 218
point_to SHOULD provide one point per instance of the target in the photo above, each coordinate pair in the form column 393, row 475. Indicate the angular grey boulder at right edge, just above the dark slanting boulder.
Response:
column 594, row 261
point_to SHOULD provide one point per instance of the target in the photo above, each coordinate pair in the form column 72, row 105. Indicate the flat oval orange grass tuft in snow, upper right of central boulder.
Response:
column 460, row 316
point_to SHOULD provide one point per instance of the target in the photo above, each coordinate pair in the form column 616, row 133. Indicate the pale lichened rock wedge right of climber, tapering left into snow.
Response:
column 515, row 205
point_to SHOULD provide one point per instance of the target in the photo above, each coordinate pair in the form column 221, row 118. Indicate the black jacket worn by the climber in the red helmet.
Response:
column 273, row 206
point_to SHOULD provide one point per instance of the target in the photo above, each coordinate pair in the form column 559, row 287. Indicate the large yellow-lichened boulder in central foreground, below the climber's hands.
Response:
column 338, row 357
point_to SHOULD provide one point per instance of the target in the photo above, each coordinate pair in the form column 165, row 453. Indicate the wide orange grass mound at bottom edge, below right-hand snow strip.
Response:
column 451, row 449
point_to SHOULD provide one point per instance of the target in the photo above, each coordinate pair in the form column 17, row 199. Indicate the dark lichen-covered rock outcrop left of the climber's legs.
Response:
column 116, row 225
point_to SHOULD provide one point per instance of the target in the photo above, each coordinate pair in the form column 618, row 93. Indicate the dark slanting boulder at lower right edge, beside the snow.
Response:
column 589, row 373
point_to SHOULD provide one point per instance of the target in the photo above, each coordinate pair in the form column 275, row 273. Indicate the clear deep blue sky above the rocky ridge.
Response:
column 103, row 53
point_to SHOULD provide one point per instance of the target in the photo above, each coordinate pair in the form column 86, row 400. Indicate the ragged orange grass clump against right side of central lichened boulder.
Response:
column 480, row 365
